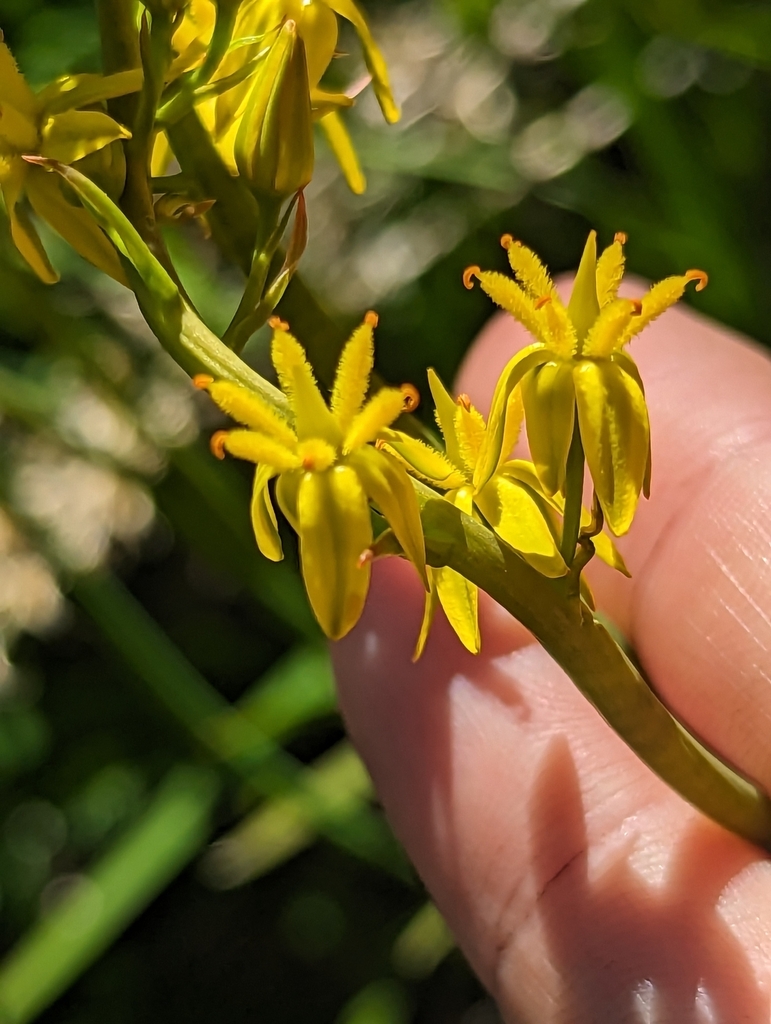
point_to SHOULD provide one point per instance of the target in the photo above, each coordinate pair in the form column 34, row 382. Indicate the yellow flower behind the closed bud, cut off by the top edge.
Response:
column 258, row 24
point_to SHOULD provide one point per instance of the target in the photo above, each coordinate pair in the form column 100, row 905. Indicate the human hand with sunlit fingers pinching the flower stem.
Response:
column 580, row 887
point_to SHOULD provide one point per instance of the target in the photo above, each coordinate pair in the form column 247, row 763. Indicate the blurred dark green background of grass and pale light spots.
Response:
column 186, row 834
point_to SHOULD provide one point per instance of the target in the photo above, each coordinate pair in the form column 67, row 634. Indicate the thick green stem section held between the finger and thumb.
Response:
column 598, row 667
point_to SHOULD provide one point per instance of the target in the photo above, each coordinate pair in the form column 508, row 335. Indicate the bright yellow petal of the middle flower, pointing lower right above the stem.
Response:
column 515, row 514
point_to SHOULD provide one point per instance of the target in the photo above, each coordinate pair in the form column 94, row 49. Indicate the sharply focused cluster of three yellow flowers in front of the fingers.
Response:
column 575, row 385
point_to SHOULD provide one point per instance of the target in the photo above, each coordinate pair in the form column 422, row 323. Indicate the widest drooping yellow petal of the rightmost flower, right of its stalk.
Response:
column 614, row 422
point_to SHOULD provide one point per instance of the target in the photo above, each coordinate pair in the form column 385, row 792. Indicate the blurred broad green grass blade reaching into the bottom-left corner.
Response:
column 58, row 950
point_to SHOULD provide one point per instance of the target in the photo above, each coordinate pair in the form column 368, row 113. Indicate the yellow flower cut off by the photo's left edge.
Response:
column 50, row 124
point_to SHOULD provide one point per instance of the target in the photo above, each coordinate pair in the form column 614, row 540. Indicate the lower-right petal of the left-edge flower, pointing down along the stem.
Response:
column 74, row 224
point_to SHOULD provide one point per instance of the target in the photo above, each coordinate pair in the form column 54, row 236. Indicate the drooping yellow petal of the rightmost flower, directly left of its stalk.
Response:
column 550, row 409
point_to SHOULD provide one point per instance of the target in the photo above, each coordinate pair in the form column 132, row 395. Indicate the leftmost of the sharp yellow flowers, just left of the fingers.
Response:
column 327, row 470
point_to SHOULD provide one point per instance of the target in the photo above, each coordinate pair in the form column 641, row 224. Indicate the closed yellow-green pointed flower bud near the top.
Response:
column 275, row 144
